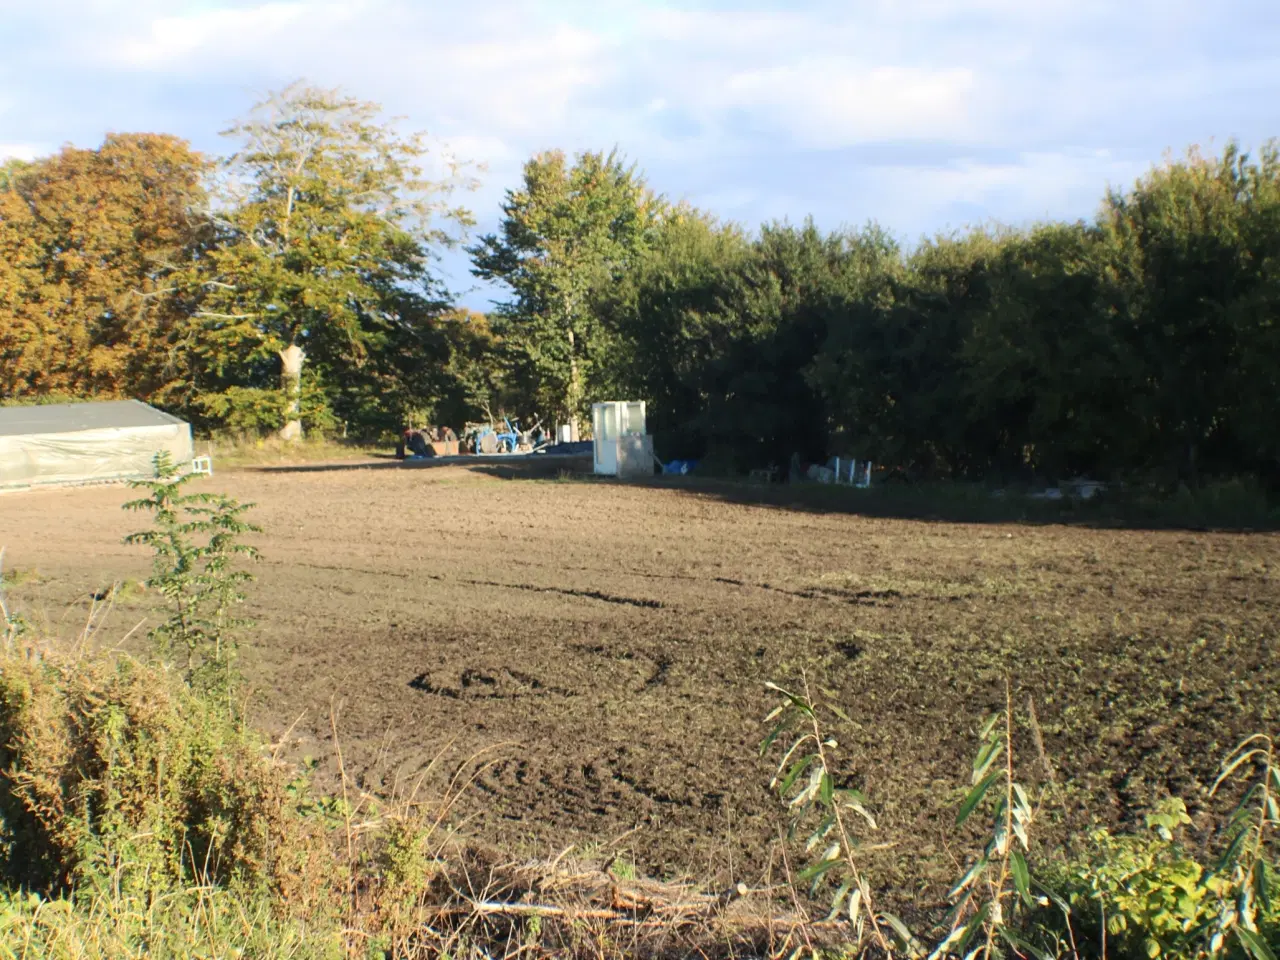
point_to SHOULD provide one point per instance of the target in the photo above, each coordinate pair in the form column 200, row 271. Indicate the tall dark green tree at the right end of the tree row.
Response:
column 1201, row 244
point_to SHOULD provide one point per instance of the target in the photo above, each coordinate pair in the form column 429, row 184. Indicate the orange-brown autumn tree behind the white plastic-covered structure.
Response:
column 89, row 245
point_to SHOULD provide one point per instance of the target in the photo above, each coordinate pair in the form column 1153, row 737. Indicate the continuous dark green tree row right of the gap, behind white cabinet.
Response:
column 1144, row 344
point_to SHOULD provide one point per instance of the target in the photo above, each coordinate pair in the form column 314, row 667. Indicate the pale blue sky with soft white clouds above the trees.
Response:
column 925, row 116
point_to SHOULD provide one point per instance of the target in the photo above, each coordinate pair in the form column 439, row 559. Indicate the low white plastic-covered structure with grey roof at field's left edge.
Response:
column 80, row 444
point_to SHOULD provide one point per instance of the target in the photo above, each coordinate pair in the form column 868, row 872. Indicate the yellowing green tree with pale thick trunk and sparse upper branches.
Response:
column 326, row 228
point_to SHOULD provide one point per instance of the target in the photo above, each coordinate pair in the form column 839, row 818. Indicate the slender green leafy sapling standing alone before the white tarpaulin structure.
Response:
column 195, row 545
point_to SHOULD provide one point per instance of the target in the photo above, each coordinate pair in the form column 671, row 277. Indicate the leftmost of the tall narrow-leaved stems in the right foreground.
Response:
column 806, row 781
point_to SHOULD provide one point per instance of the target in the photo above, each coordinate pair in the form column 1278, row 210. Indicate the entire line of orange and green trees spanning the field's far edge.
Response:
column 292, row 284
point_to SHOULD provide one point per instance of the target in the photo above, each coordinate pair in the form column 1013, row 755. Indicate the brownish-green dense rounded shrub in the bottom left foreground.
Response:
column 112, row 776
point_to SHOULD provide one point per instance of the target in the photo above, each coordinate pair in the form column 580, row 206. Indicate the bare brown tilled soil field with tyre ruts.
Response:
column 611, row 643
